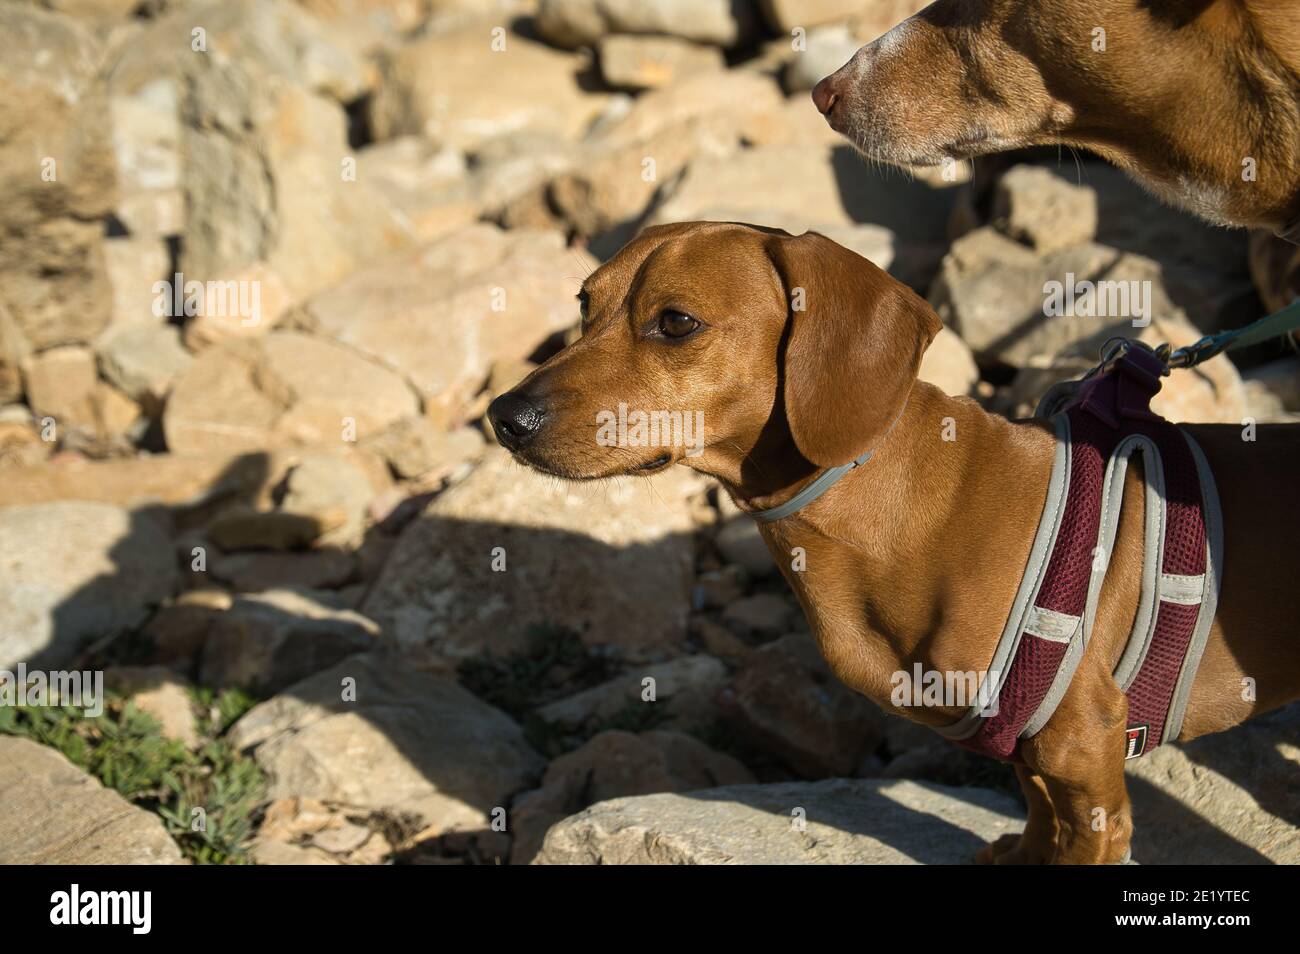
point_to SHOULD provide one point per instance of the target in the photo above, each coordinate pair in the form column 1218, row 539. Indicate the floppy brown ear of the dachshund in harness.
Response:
column 855, row 344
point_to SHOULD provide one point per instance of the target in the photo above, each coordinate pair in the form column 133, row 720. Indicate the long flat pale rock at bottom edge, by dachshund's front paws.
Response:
column 837, row 822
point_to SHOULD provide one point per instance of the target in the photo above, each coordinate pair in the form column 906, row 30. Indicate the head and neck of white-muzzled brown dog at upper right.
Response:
column 1199, row 99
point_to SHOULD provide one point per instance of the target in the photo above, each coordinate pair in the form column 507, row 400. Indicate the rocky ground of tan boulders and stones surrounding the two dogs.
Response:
column 281, row 534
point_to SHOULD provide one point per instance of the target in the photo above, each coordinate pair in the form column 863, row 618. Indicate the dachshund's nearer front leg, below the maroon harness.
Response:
column 1080, row 754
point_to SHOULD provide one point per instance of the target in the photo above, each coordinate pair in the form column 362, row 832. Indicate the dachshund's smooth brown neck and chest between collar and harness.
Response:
column 922, row 549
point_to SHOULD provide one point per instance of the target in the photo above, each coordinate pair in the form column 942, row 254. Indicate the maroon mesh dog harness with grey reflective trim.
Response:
column 1106, row 422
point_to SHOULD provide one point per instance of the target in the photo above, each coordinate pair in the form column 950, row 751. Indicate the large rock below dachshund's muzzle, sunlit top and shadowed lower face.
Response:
column 560, row 544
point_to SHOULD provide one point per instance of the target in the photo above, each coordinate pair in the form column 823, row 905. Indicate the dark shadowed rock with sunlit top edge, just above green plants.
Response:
column 271, row 640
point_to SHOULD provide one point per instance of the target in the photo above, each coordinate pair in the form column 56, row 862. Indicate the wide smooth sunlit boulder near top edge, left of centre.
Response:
column 461, row 88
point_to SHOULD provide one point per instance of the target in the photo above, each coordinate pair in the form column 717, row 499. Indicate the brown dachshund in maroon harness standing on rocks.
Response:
column 801, row 355
